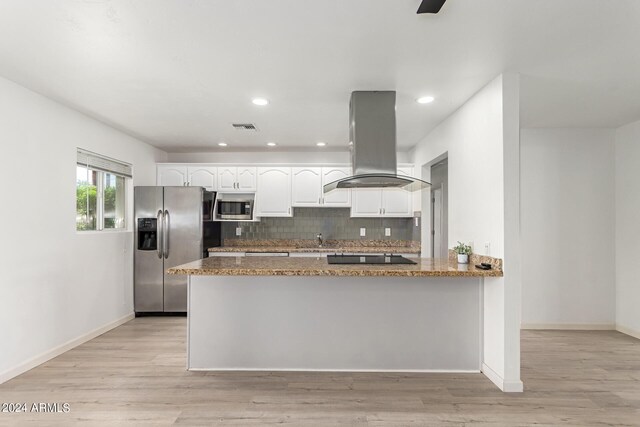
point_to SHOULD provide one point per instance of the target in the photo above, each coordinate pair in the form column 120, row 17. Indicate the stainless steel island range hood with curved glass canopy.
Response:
column 372, row 132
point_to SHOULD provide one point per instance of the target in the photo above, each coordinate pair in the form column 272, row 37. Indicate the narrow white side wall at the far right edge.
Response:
column 627, row 201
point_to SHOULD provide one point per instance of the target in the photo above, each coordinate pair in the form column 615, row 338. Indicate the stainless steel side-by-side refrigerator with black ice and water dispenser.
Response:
column 169, row 232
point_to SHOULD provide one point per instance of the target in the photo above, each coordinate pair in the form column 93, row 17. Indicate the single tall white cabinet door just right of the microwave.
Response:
column 274, row 195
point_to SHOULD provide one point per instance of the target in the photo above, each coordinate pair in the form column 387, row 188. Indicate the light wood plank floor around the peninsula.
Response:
column 135, row 375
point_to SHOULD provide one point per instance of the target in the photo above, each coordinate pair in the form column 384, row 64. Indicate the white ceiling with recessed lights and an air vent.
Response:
column 177, row 73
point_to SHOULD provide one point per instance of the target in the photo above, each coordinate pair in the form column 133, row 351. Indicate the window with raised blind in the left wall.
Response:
column 101, row 192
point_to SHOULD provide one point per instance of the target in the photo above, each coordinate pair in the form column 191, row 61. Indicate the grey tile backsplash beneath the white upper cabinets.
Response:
column 333, row 223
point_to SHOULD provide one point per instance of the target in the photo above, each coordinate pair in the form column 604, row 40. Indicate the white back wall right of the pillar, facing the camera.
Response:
column 568, row 221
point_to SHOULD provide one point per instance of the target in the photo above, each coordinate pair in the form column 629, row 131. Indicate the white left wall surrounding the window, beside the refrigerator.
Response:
column 57, row 285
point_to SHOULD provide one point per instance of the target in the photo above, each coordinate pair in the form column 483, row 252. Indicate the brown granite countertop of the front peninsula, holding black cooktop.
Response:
column 312, row 266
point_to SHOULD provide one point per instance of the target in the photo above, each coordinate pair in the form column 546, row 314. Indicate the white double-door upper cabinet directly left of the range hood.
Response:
column 308, row 183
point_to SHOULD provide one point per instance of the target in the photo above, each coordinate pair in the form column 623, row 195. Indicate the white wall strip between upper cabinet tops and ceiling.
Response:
column 272, row 156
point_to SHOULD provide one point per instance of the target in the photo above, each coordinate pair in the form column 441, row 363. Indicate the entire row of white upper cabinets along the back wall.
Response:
column 278, row 189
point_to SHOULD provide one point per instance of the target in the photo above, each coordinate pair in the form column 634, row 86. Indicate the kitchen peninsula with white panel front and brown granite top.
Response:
column 282, row 313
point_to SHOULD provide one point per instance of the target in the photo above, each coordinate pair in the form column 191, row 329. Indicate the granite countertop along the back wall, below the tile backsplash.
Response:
column 311, row 246
